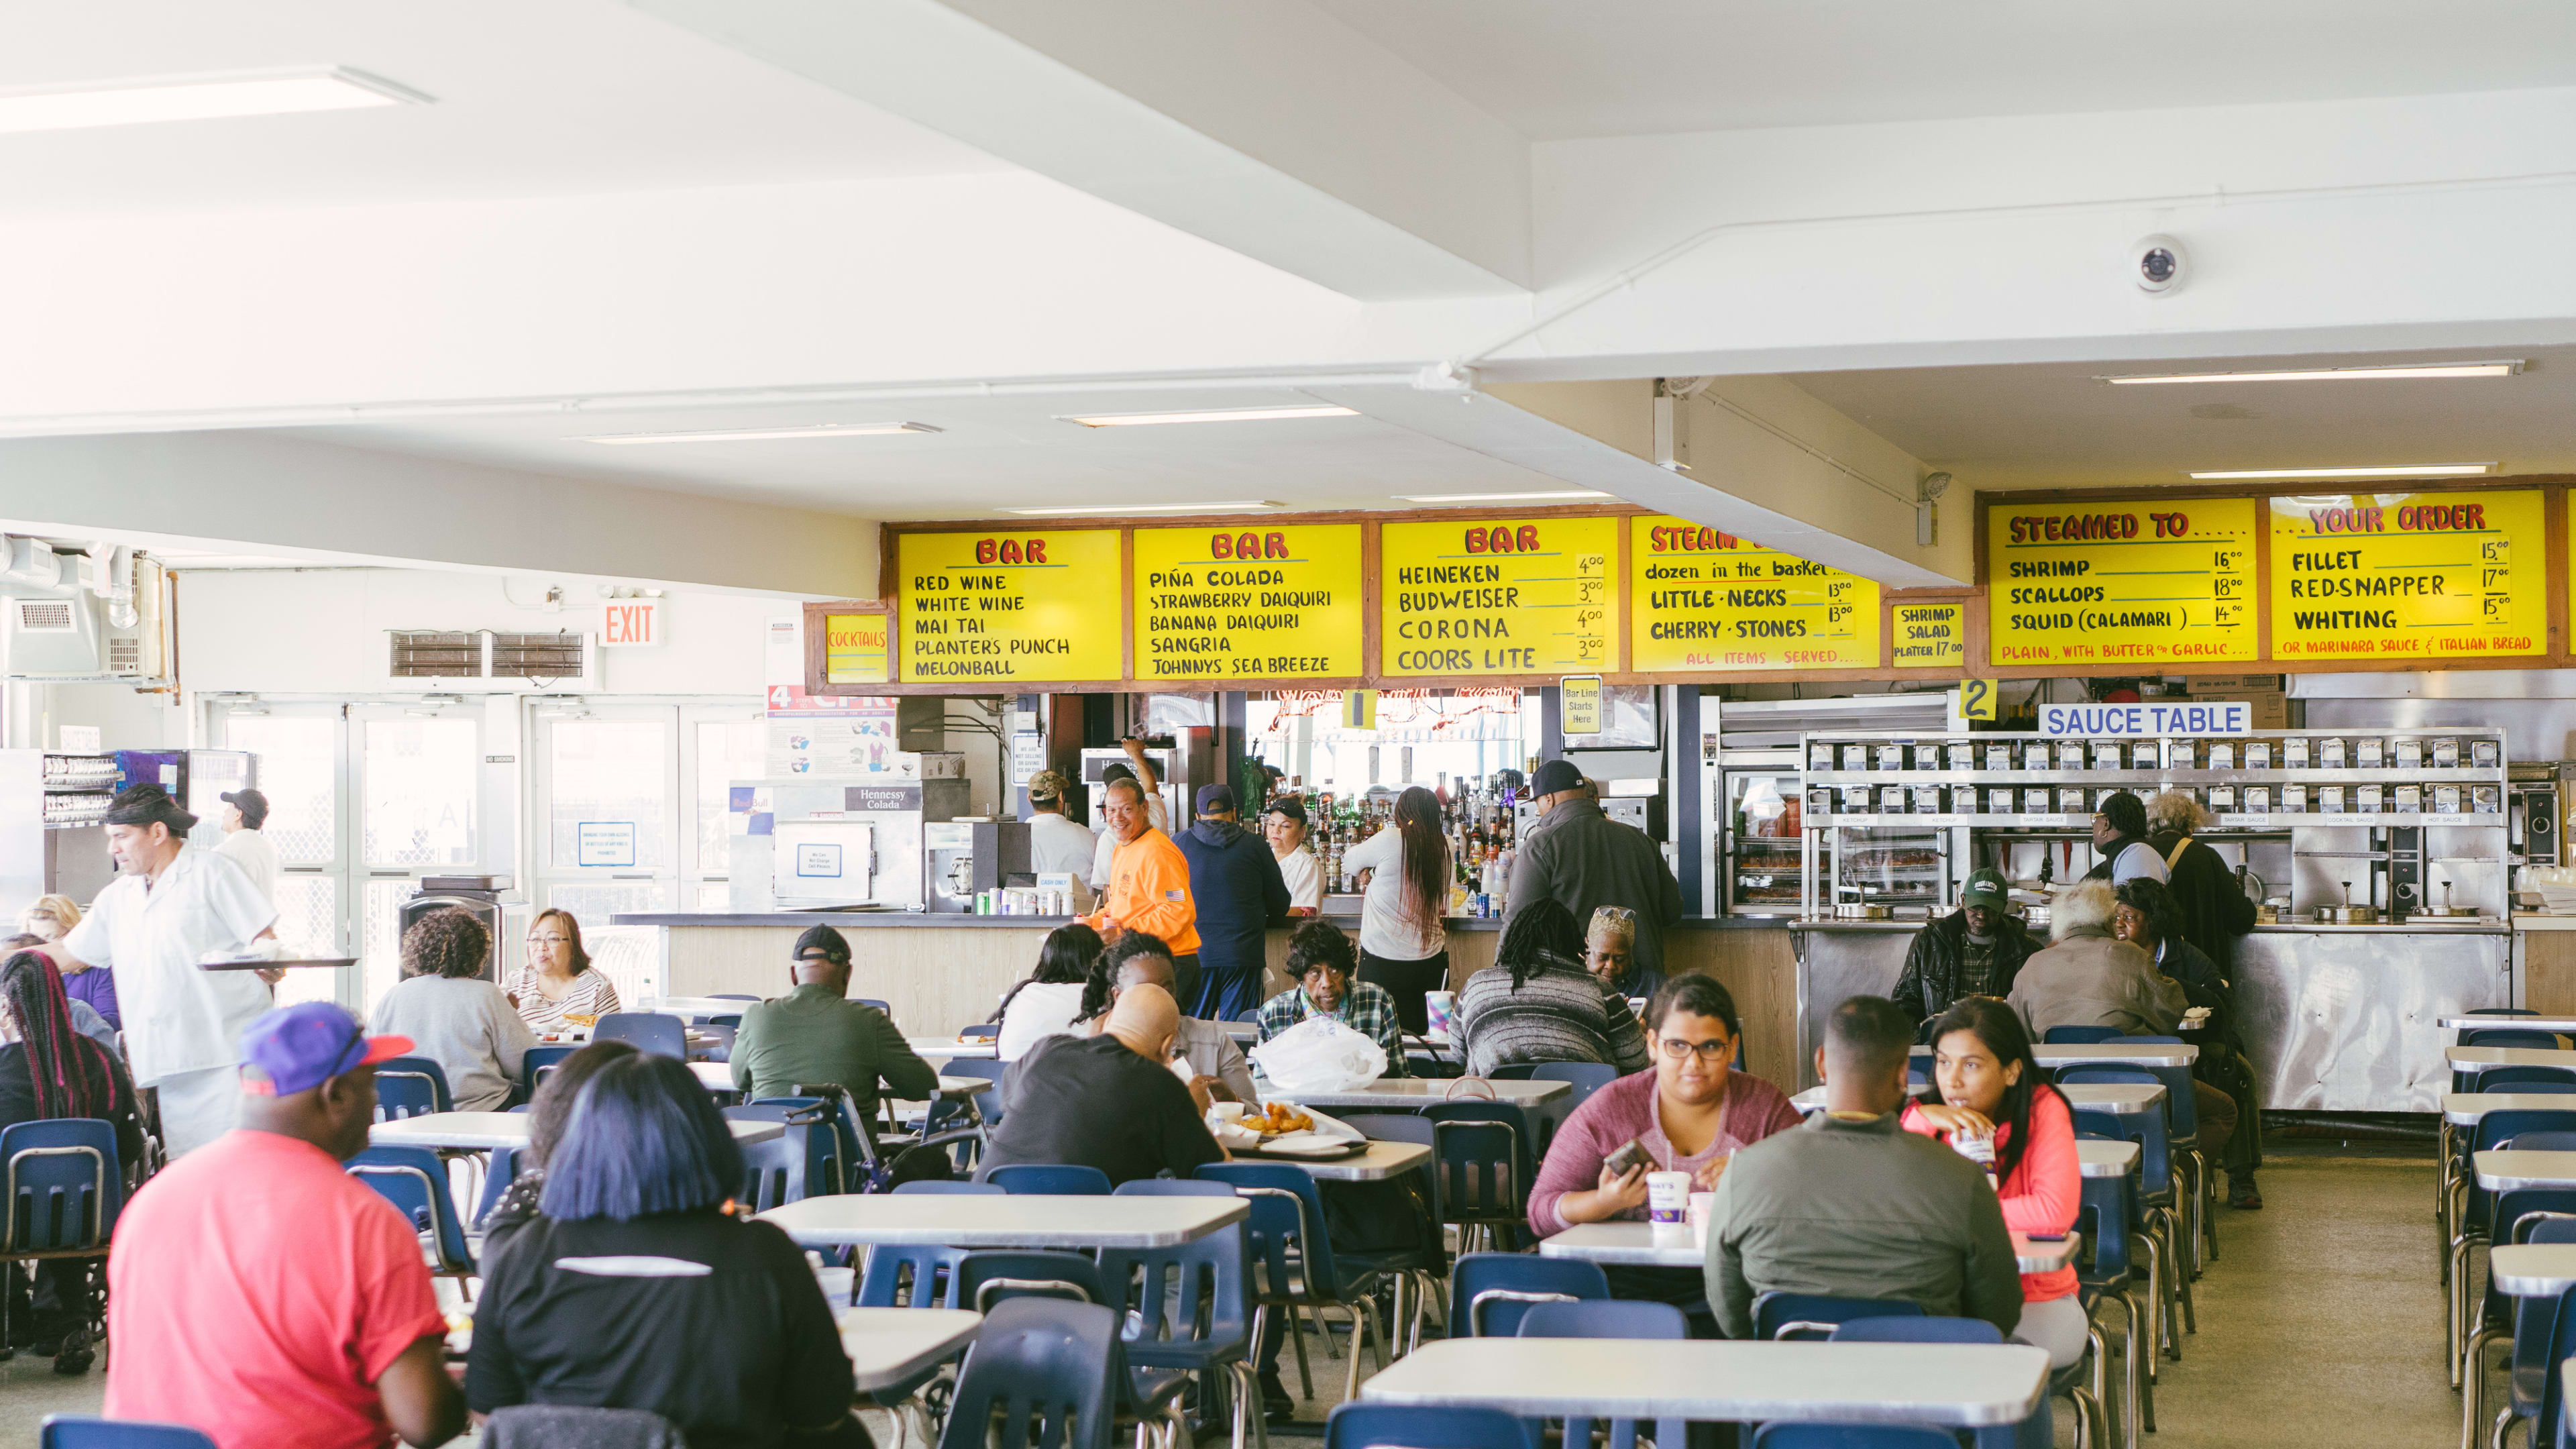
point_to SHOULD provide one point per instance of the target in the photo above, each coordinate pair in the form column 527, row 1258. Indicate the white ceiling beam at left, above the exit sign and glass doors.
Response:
column 267, row 496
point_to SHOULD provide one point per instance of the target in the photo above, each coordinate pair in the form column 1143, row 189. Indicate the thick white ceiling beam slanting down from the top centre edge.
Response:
column 1269, row 130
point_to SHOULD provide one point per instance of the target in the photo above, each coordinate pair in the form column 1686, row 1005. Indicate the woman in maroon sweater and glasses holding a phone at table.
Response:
column 1689, row 1115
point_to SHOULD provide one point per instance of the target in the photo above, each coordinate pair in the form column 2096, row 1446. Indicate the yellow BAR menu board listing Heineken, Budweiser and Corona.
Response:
column 1498, row 597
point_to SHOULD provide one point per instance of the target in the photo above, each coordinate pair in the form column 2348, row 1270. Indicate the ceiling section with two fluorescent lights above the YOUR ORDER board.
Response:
column 2057, row 427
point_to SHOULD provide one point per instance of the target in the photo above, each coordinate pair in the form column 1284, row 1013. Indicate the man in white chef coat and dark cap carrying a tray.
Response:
column 171, row 909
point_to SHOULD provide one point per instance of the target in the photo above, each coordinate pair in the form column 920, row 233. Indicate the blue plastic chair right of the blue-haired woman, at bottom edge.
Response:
column 1047, row 1370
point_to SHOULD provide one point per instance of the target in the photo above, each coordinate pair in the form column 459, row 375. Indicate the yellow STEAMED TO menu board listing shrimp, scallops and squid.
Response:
column 2121, row 584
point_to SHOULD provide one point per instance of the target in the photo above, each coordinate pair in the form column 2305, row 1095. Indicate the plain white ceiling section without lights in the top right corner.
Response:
column 1557, row 71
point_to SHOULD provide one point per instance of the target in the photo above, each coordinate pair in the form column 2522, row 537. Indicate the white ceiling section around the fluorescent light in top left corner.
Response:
column 529, row 99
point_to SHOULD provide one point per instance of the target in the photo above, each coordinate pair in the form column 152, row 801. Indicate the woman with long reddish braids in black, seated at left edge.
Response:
column 48, row 1069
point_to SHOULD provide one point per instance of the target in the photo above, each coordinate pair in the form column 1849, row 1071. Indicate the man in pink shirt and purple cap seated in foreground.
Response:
column 264, row 1296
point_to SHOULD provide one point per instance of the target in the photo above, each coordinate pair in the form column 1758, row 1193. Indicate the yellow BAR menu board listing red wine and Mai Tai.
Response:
column 1037, row 607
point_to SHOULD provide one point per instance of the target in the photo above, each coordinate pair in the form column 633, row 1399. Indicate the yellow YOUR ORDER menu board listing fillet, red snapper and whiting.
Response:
column 2410, row 576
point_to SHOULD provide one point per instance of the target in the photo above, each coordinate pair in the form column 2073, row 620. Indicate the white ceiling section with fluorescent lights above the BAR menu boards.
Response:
column 990, row 452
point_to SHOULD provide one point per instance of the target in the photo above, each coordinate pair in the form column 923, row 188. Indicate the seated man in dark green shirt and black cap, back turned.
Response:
column 818, row 1035
